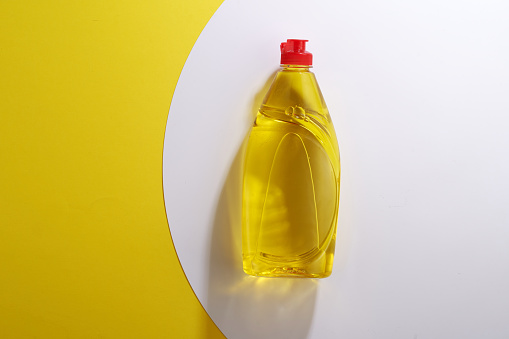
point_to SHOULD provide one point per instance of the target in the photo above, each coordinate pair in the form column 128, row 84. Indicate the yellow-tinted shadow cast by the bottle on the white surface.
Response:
column 243, row 306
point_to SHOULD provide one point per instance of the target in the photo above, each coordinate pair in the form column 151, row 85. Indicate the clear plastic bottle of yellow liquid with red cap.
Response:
column 291, row 176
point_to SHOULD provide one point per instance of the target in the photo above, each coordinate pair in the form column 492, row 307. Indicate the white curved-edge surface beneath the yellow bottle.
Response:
column 419, row 95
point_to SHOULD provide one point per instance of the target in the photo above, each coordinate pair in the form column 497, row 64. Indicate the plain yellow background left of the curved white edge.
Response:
column 85, row 88
